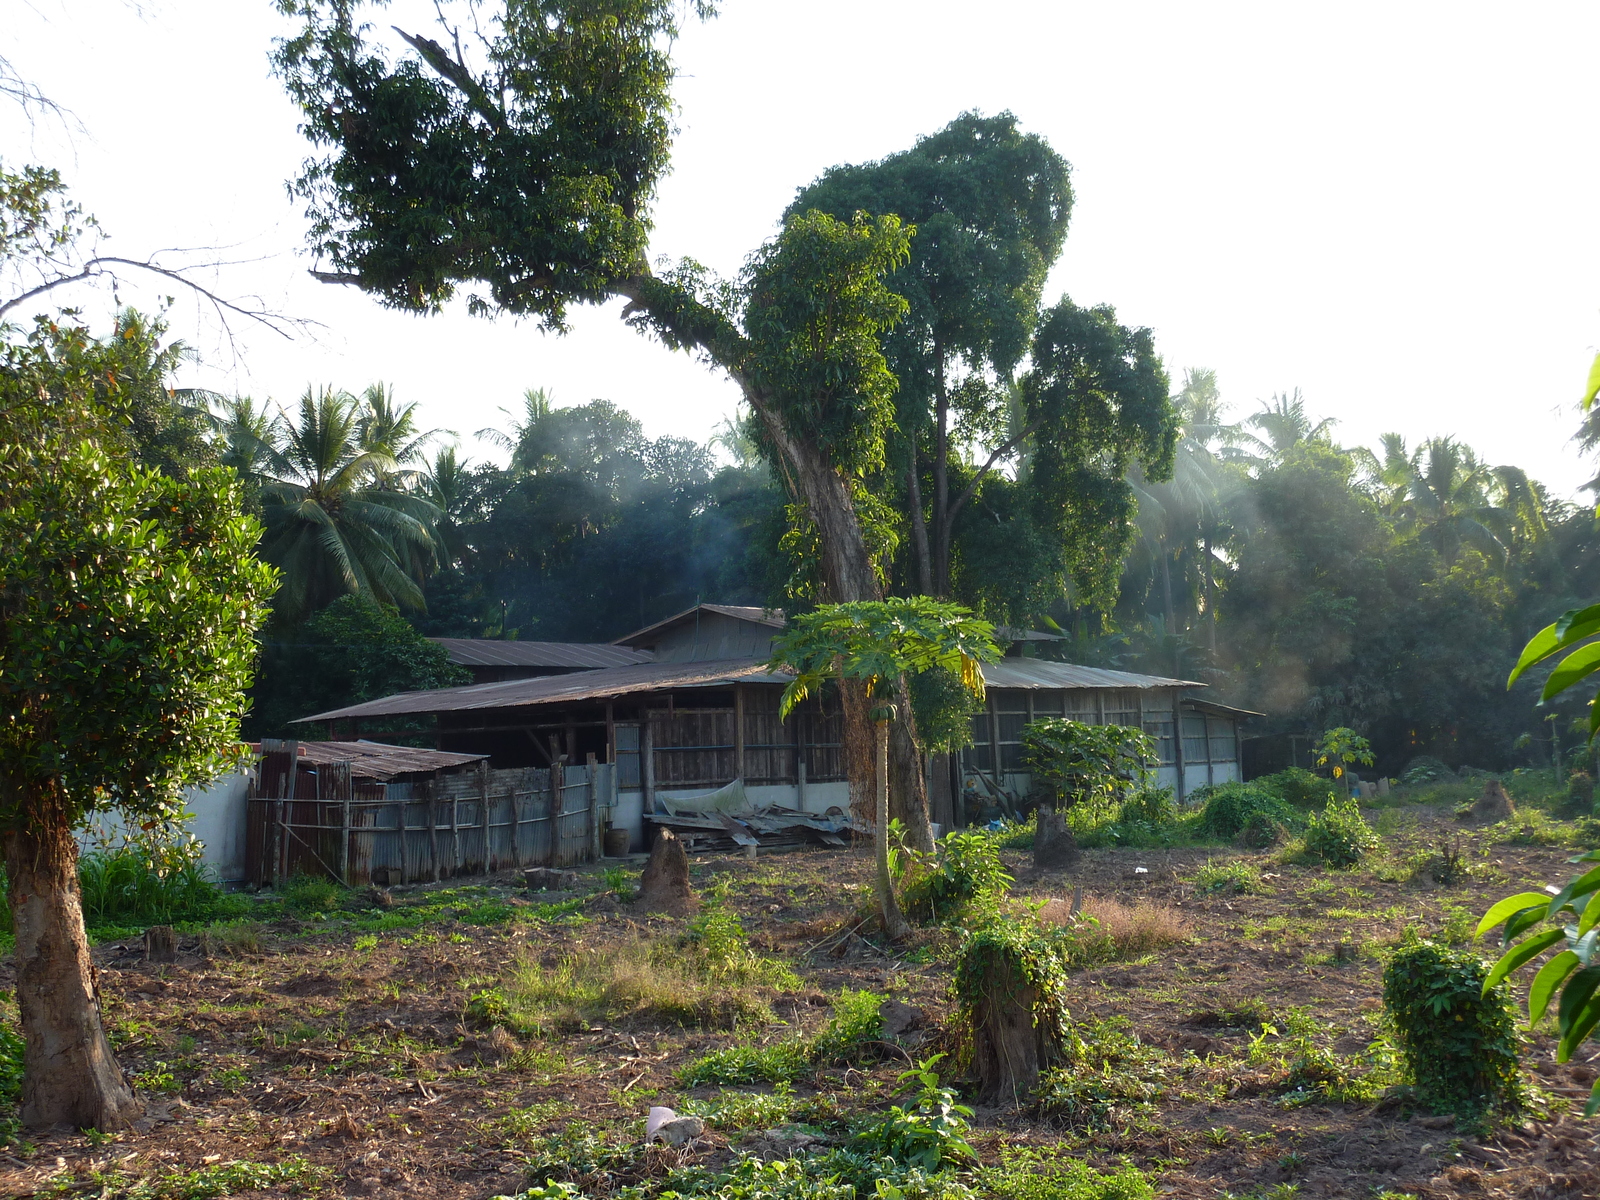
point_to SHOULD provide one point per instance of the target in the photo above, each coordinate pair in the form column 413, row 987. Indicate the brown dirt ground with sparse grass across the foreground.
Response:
column 337, row 1052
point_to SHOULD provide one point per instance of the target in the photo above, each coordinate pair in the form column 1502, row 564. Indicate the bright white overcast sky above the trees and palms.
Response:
column 1390, row 207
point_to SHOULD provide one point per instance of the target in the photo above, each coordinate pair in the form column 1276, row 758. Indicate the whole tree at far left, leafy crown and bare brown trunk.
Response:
column 129, row 604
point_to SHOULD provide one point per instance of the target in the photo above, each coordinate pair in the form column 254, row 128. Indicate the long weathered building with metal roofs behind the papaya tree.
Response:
column 703, row 714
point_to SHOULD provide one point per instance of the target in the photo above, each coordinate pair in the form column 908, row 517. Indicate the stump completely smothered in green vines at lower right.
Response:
column 1457, row 1044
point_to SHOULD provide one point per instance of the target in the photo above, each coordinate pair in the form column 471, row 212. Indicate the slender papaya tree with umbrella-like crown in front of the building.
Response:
column 876, row 646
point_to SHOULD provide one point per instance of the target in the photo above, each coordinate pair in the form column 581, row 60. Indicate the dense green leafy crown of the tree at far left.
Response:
column 127, row 601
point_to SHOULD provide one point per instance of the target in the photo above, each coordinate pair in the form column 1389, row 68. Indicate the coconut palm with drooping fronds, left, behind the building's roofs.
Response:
column 335, row 526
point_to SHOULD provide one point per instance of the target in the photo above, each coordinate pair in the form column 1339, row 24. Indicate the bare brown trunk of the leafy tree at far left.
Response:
column 71, row 1076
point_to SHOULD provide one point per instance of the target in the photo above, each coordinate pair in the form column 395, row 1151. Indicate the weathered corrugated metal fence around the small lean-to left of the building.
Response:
column 470, row 823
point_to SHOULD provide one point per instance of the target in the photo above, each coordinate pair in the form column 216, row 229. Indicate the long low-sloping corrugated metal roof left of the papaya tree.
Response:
column 585, row 686
